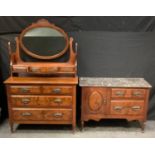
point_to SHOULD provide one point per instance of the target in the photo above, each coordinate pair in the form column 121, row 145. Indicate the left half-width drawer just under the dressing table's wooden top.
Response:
column 25, row 89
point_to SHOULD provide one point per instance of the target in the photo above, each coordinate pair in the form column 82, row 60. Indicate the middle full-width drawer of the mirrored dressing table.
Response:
column 41, row 101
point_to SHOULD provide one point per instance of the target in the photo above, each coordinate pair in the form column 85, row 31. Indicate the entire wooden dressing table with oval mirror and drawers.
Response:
column 42, row 85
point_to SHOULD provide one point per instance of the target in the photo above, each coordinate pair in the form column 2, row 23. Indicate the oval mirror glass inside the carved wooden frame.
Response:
column 44, row 41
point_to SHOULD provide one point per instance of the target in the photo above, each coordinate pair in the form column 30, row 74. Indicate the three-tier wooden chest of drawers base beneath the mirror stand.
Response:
column 41, row 100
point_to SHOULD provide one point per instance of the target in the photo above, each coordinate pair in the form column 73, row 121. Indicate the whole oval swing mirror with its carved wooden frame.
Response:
column 44, row 41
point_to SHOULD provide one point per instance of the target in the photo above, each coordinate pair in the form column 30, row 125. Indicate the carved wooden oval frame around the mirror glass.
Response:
column 43, row 23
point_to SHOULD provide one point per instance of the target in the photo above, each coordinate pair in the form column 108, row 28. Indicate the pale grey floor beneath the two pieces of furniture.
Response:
column 104, row 129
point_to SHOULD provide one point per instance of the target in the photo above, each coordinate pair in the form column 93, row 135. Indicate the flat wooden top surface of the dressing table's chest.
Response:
column 41, row 80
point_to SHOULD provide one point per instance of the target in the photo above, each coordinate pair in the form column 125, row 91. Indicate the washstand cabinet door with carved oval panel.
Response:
column 94, row 100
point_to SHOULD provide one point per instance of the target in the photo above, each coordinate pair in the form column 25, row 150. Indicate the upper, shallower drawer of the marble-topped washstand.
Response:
column 127, row 93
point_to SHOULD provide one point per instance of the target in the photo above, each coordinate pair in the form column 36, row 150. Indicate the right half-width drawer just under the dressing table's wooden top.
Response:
column 58, row 90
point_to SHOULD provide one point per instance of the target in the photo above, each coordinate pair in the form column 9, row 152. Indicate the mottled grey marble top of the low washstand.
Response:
column 114, row 82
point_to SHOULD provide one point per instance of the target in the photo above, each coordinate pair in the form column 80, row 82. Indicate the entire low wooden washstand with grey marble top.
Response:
column 114, row 98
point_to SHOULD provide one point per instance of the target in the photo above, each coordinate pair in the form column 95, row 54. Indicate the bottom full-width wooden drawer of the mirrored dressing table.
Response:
column 42, row 115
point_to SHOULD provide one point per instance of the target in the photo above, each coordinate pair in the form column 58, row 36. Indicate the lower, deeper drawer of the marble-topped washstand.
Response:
column 123, row 107
